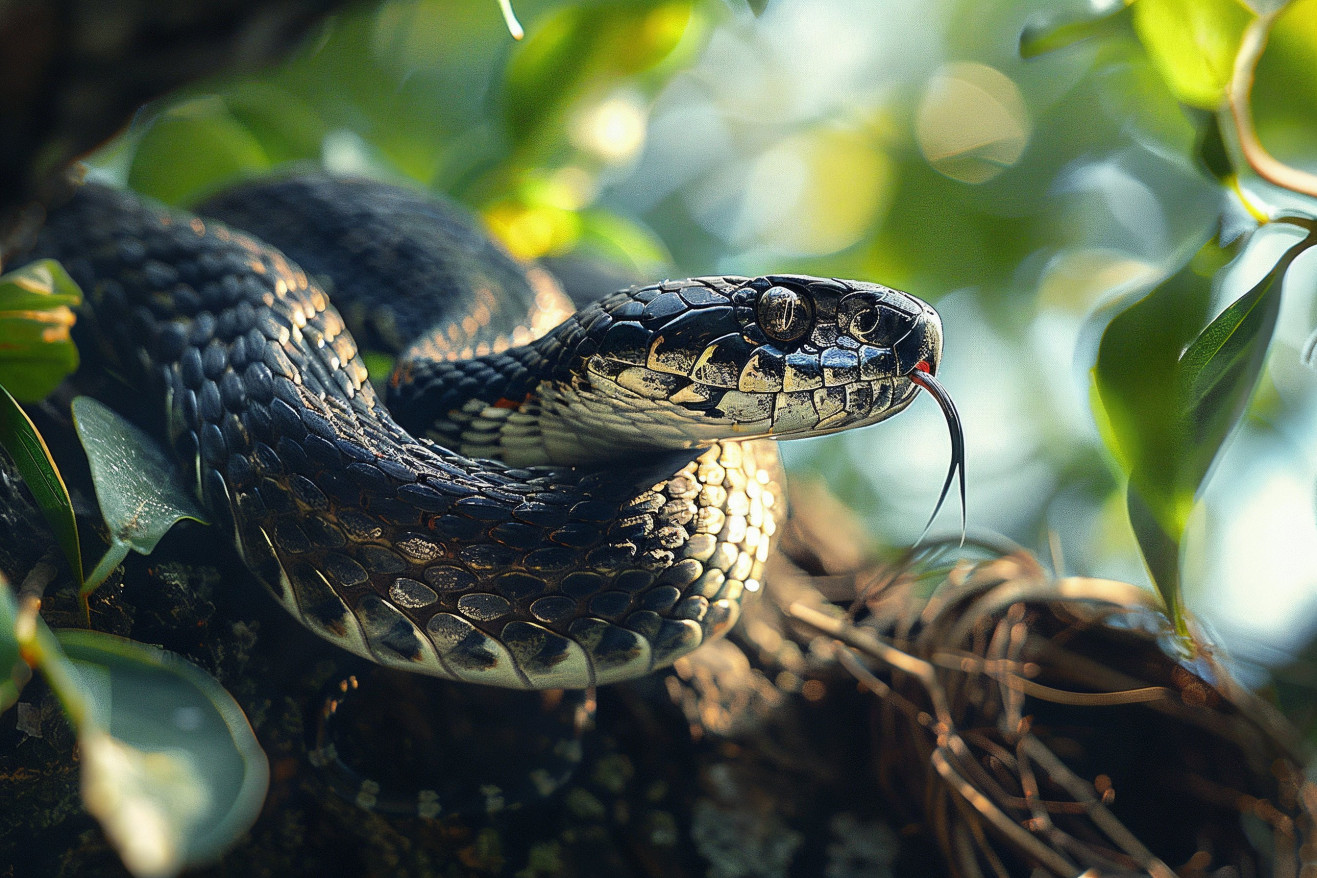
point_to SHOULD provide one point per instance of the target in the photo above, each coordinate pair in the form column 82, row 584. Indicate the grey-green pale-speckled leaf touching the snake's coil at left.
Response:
column 140, row 492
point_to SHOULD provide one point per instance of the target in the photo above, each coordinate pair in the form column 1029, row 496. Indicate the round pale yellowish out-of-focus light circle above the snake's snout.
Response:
column 973, row 123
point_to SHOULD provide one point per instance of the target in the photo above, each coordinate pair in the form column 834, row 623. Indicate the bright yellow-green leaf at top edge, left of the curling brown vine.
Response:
column 1194, row 44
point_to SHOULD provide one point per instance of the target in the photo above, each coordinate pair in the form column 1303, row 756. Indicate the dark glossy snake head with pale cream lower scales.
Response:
column 687, row 363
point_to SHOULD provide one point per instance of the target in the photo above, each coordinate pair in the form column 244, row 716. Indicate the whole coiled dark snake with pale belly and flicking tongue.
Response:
column 539, row 497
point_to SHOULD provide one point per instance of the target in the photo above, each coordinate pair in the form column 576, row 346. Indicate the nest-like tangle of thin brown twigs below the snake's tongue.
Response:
column 1058, row 727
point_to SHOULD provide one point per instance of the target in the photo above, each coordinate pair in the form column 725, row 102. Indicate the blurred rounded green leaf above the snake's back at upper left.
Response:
column 193, row 148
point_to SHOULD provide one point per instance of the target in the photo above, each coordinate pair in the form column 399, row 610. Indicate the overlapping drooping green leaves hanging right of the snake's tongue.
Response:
column 1169, row 396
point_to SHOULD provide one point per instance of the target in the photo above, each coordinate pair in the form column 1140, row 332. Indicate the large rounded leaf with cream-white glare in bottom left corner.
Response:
column 171, row 765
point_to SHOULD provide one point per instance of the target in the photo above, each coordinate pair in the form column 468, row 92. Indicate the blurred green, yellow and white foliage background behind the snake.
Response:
column 907, row 144
